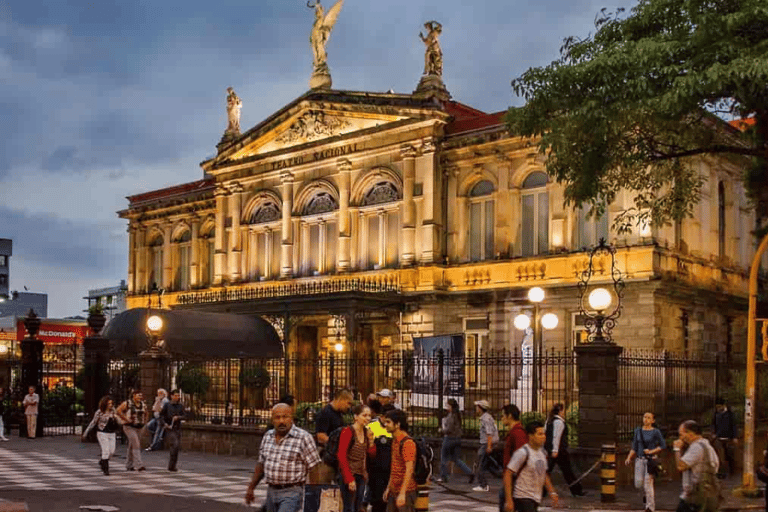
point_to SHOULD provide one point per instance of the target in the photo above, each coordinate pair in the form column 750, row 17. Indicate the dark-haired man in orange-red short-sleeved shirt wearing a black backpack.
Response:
column 400, row 494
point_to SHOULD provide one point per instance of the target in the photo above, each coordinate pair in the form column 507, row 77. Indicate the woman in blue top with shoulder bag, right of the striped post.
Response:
column 647, row 443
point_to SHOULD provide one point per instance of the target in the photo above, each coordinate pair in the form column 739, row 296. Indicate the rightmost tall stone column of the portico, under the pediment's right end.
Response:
column 430, row 224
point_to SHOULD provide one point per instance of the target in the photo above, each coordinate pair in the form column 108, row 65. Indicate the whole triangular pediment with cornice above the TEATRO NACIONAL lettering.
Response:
column 325, row 115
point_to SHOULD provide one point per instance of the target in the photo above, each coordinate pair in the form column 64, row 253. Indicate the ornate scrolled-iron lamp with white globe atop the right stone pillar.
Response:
column 600, row 319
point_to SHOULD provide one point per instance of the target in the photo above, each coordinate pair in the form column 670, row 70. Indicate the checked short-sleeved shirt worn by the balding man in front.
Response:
column 289, row 461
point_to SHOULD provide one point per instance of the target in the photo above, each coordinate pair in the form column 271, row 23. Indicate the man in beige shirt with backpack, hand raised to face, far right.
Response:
column 699, row 465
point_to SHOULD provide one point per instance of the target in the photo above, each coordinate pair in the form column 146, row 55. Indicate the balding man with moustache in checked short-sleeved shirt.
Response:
column 287, row 457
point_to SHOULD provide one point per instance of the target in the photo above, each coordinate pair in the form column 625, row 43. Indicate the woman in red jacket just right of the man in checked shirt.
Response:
column 355, row 444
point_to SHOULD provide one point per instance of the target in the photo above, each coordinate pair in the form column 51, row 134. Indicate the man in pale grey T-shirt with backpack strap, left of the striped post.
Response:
column 526, row 474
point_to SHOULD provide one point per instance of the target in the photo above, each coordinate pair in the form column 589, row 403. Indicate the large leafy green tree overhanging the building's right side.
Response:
column 631, row 106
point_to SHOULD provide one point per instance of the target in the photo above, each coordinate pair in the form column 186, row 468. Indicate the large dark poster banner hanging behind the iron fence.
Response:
column 425, row 371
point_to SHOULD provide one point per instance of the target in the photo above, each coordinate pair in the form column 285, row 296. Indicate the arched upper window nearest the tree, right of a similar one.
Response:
column 535, row 215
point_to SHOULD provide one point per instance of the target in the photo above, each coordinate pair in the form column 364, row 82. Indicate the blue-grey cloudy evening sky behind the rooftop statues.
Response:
column 102, row 99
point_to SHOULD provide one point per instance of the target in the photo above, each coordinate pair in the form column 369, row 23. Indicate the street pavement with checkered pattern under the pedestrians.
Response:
column 53, row 474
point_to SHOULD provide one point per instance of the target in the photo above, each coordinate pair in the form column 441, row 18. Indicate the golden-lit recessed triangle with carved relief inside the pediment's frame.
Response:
column 312, row 125
